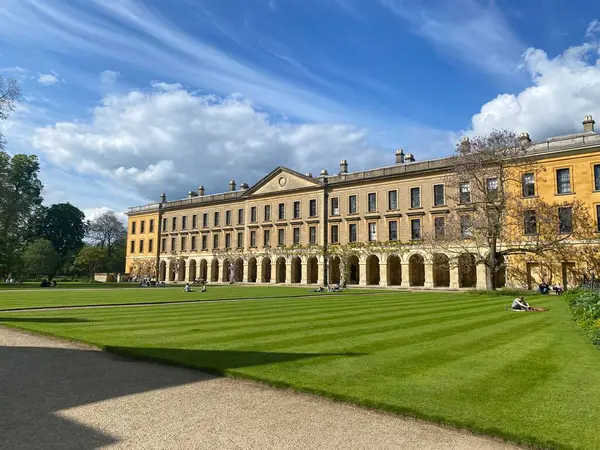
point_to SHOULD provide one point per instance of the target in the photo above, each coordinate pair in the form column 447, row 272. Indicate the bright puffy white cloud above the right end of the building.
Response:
column 564, row 89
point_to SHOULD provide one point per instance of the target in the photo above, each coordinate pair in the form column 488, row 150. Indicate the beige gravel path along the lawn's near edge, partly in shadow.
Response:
column 58, row 395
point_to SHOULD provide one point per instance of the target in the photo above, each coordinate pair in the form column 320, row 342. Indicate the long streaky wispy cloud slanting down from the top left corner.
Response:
column 133, row 33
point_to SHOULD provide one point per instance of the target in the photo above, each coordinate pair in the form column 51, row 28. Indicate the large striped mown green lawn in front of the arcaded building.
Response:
column 453, row 358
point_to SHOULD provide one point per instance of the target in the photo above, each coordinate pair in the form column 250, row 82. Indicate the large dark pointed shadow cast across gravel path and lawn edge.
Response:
column 38, row 382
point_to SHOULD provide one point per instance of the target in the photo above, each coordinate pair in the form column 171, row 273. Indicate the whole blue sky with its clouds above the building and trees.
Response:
column 125, row 99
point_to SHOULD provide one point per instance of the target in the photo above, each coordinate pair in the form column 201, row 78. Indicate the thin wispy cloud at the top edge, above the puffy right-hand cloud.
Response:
column 465, row 30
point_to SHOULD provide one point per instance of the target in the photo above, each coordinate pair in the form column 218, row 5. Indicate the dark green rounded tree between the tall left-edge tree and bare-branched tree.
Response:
column 64, row 225
